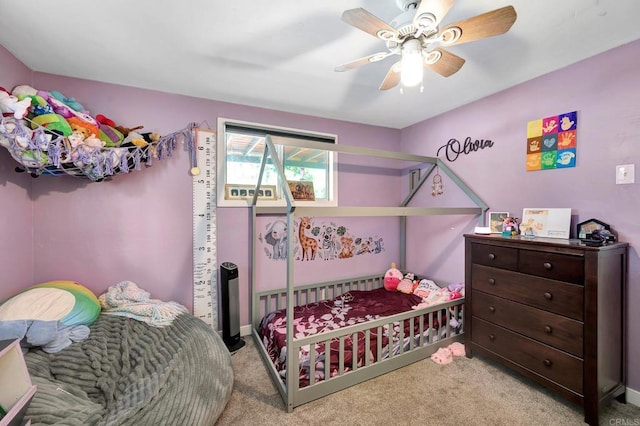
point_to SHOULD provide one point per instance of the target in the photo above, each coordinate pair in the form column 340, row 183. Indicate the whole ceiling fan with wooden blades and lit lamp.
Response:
column 416, row 37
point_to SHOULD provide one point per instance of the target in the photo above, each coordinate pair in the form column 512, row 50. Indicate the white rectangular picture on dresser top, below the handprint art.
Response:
column 542, row 222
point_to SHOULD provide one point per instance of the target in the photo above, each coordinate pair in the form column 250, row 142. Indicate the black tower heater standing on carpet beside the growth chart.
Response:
column 230, row 306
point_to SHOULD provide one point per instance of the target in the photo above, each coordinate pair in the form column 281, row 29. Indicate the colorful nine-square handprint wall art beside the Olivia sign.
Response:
column 551, row 142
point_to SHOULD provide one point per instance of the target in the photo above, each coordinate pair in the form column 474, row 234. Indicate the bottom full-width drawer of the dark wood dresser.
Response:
column 551, row 363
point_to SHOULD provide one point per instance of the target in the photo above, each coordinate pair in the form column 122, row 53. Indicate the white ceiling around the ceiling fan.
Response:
column 281, row 54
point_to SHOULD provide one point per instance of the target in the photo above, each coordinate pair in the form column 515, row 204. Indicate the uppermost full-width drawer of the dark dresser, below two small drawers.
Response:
column 558, row 297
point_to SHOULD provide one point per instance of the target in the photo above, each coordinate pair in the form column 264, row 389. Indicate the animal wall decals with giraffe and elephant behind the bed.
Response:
column 317, row 240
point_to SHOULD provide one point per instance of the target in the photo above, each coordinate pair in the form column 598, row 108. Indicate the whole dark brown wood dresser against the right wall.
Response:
column 552, row 310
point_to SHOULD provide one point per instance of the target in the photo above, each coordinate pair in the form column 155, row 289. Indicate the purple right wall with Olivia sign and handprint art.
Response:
column 604, row 90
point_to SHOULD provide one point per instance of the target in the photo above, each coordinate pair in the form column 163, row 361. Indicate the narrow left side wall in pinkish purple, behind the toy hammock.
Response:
column 16, row 233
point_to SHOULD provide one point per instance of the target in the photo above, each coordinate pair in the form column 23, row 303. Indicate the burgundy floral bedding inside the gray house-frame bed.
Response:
column 353, row 307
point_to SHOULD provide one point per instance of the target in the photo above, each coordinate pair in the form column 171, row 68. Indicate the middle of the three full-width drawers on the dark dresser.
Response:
column 555, row 330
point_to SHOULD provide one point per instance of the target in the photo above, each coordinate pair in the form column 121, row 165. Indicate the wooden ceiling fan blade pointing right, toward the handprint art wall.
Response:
column 488, row 24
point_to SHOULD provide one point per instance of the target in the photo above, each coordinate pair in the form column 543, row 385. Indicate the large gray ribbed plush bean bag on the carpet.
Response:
column 130, row 373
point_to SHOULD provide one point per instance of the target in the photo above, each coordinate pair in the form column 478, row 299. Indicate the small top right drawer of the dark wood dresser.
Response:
column 561, row 267
